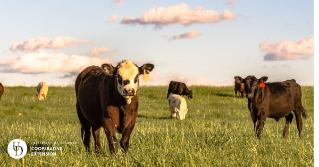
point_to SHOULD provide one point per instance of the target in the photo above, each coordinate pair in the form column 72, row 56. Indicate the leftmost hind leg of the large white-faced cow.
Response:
column 85, row 128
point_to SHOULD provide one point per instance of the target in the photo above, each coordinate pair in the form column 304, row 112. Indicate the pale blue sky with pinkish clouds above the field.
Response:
column 197, row 42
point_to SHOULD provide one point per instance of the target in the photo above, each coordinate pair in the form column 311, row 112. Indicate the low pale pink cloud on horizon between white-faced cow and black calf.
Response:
column 158, row 78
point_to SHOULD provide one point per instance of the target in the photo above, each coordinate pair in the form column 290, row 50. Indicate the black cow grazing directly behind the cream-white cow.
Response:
column 179, row 88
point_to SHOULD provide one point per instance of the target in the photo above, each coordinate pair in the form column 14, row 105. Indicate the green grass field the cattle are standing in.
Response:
column 217, row 131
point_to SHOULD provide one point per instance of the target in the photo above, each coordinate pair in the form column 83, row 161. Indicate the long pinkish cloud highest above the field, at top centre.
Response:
column 178, row 14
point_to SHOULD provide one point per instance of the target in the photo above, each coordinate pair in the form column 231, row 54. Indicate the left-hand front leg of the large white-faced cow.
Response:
column 110, row 129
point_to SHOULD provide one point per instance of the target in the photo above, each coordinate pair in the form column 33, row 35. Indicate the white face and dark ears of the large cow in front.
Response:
column 126, row 75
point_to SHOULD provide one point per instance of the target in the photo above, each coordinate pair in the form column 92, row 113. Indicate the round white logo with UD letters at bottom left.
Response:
column 17, row 148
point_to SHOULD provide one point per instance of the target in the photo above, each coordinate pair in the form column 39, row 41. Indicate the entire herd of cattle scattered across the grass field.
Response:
column 107, row 97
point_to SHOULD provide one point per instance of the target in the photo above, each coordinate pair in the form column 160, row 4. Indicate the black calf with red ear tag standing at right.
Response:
column 273, row 100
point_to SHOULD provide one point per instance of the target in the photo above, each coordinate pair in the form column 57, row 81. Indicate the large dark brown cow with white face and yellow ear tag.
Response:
column 108, row 101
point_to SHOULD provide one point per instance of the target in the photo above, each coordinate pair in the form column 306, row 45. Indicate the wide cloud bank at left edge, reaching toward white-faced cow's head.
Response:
column 41, row 62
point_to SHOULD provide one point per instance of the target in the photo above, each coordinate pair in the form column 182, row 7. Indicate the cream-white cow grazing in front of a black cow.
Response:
column 178, row 106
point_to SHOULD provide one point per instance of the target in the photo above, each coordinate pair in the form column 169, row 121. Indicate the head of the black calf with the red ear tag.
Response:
column 251, row 84
